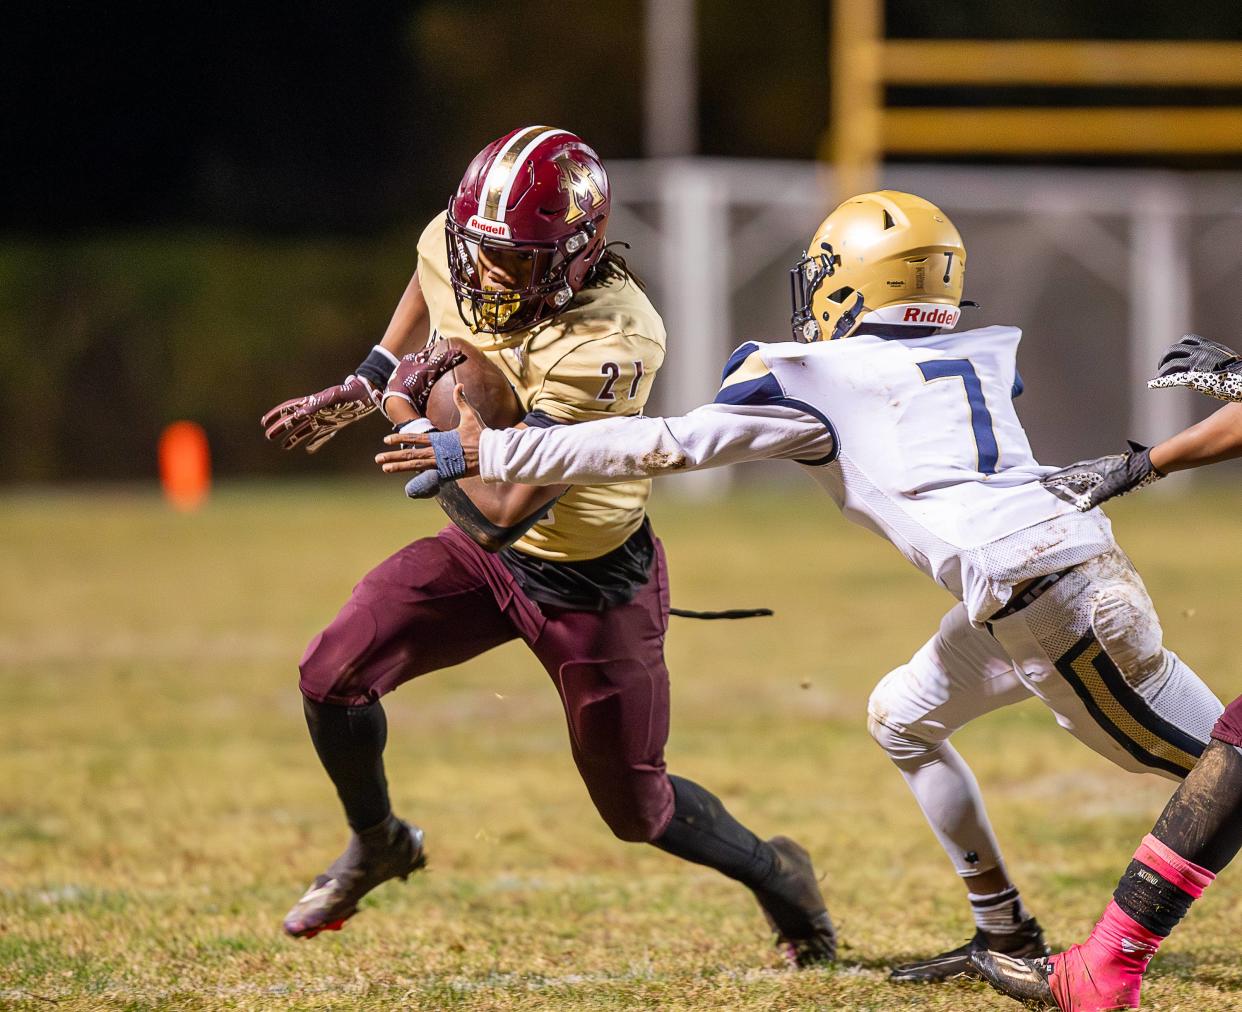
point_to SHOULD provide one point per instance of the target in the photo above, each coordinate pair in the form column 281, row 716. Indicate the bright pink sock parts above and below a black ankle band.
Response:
column 1106, row 972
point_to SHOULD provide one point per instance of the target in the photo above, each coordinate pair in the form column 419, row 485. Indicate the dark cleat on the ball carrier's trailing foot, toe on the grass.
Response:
column 796, row 910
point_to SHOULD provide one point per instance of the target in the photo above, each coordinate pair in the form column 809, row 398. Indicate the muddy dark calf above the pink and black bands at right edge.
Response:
column 1203, row 821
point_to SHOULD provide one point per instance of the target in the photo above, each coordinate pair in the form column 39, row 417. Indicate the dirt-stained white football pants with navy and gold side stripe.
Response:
column 1090, row 648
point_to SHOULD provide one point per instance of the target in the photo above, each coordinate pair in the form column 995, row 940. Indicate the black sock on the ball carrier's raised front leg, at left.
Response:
column 351, row 746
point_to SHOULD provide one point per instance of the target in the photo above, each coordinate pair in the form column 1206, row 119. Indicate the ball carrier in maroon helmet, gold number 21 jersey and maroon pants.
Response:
column 519, row 269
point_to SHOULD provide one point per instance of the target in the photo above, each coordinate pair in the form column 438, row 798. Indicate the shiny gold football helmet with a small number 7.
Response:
column 886, row 258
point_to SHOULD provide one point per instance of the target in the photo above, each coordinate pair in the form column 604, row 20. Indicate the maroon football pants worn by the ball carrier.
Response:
column 444, row 600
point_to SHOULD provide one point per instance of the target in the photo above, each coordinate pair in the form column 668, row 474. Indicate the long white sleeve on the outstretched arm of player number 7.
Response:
column 620, row 450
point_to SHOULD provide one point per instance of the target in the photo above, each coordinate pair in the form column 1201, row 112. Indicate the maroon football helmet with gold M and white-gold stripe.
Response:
column 525, row 228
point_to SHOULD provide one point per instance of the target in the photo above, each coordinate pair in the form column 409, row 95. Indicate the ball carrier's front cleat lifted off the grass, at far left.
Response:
column 392, row 850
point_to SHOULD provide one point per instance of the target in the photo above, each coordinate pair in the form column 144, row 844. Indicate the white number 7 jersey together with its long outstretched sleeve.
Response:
column 916, row 439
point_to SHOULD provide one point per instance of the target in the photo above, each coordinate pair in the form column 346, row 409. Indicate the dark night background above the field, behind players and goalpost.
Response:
column 207, row 208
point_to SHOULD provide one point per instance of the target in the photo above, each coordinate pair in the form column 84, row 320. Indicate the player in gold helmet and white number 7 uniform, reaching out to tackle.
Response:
column 910, row 428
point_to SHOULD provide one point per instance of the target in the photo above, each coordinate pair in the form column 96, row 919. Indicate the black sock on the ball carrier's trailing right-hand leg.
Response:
column 704, row 831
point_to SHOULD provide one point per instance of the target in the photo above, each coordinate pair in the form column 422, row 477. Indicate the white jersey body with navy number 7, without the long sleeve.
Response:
column 930, row 453
